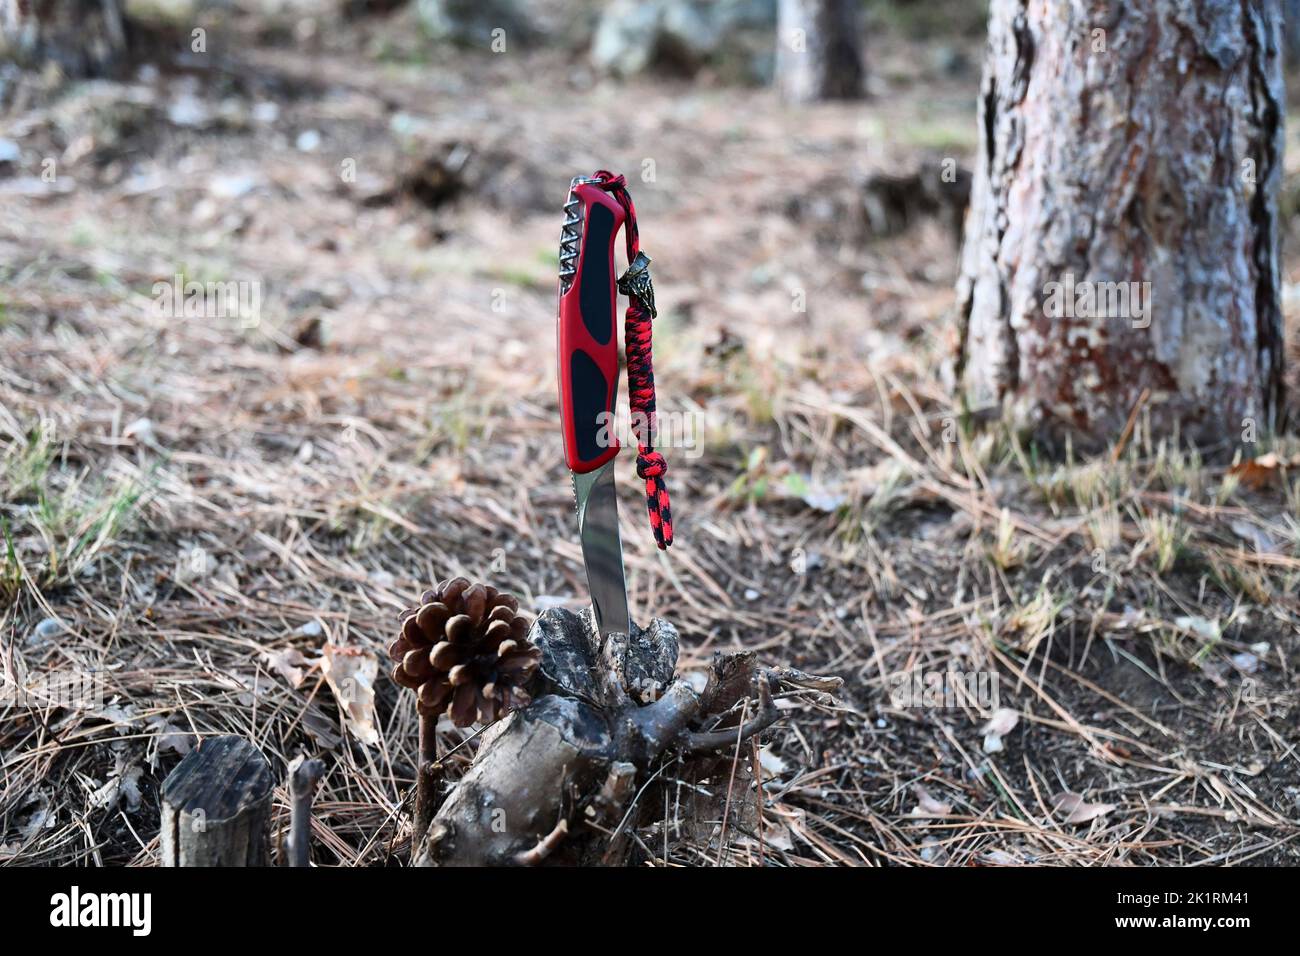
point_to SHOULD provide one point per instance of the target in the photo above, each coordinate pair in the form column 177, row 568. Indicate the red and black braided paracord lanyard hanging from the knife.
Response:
column 651, row 465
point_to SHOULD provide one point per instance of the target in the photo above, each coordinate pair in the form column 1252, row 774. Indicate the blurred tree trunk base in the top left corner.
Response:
column 84, row 38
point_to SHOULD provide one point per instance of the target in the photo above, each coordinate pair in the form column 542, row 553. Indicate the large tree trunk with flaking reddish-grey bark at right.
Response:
column 1123, row 241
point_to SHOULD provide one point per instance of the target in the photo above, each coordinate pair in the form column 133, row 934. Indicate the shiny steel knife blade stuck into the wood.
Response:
column 603, row 548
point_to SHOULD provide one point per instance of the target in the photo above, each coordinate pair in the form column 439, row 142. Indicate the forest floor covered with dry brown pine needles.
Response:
column 198, row 511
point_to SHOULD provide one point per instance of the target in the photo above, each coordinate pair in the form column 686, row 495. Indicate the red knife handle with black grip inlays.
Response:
column 588, row 339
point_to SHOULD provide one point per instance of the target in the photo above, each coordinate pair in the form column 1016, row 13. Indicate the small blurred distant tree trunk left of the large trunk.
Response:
column 818, row 50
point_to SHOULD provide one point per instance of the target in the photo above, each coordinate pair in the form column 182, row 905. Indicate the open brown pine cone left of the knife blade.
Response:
column 466, row 652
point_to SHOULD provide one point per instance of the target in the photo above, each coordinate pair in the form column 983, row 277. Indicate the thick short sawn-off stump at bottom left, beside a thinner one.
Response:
column 216, row 807
